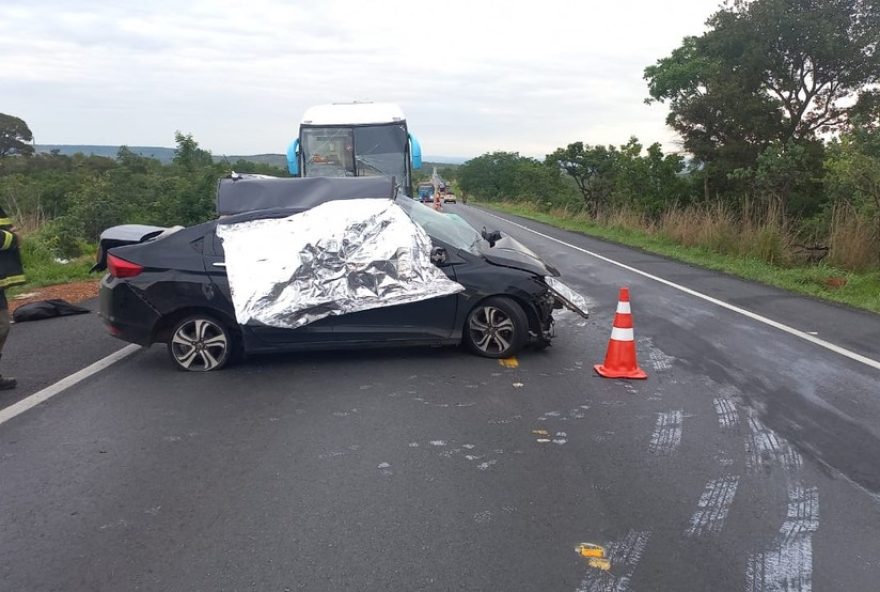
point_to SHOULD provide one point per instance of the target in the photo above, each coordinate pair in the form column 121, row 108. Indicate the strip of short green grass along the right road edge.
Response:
column 862, row 290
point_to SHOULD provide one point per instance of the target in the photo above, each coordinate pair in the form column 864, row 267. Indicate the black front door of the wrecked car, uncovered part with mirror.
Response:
column 429, row 320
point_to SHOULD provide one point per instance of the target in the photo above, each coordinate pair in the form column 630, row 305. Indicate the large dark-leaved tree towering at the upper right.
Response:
column 769, row 71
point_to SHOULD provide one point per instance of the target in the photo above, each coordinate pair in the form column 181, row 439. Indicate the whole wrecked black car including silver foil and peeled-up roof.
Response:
column 307, row 264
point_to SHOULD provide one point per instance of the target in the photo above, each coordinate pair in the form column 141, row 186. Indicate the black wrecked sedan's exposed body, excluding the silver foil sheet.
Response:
column 171, row 287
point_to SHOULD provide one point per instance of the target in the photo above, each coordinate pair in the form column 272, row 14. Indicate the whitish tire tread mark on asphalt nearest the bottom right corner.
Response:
column 788, row 565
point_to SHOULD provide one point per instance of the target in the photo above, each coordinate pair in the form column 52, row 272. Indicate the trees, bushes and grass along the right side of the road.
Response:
column 778, row 110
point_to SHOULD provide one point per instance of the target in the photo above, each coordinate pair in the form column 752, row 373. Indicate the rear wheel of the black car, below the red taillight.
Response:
column 201, row 343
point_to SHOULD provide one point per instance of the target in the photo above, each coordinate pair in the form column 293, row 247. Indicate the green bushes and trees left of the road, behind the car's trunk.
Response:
column 60, row 204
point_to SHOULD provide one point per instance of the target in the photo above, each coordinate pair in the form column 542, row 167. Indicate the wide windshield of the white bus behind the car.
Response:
column 357, row 151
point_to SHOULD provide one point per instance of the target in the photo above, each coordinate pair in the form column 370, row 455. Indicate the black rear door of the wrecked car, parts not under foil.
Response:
column 215, row 265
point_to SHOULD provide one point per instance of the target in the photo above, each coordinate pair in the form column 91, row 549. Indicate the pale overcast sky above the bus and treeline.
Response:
column 472, row 76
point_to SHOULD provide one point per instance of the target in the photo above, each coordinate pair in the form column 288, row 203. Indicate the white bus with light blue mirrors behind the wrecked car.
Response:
column 355, row 140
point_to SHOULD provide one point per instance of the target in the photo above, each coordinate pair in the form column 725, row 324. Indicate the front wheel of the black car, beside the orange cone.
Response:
column 496, row 328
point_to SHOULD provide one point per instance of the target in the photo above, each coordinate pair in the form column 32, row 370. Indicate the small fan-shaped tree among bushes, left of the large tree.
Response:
column 591, row 168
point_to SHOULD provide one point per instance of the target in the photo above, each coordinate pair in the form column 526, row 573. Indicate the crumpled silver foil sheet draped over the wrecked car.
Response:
column 336, row 258
